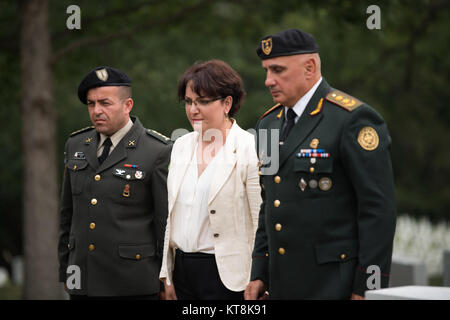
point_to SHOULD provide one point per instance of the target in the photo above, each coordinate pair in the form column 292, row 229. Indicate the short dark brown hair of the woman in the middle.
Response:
column 213, row 78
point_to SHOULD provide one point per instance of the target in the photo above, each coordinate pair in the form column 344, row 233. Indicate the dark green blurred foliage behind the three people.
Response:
column 400, row 70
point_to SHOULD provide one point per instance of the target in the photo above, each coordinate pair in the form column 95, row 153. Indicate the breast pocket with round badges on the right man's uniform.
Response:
column 314, row 175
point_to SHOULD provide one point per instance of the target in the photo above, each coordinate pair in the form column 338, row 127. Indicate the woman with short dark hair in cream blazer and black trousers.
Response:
column 213, row 191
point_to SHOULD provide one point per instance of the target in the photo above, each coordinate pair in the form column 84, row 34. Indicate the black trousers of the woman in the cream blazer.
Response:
column 196, row 277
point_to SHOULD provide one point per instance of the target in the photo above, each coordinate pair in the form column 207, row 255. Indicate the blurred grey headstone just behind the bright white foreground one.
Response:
column 407, row 271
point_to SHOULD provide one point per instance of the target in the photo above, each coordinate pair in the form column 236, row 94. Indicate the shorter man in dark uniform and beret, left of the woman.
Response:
column 114, row 197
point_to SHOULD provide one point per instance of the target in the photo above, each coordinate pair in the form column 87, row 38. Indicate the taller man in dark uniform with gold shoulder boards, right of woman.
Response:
column 327, row 221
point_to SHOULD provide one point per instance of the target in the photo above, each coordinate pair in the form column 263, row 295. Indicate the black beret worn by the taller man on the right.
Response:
column 286, row 43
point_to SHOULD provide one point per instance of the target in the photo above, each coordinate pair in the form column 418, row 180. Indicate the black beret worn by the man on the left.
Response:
column 102, row 77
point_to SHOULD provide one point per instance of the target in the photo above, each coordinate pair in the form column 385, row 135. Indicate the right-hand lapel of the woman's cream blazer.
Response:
column 225, row 163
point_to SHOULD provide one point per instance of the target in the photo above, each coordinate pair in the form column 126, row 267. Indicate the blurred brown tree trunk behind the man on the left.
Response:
column 39, row 154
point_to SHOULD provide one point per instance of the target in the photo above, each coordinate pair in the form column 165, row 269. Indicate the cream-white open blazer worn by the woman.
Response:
column 235, row 197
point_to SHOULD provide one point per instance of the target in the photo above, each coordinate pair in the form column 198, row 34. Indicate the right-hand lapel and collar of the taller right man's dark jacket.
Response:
column 305, row 124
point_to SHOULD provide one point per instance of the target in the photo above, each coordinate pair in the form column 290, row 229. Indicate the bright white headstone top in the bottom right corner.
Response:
column 409, row 293
